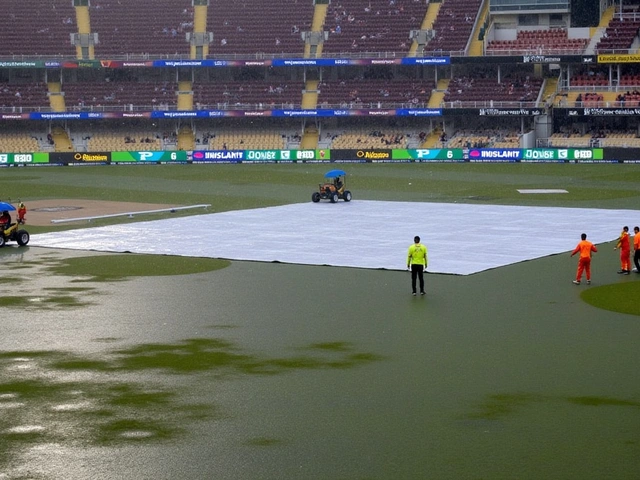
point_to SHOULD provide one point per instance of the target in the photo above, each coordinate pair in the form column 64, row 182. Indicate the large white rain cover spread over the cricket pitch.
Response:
column 462, row 238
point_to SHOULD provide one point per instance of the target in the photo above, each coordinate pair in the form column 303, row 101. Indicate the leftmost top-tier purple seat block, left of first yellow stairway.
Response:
column 42, row 29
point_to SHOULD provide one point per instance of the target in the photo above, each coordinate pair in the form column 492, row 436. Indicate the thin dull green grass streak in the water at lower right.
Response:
column 499, row 406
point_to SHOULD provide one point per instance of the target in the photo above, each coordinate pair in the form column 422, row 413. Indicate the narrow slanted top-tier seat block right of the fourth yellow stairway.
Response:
column 453, row 26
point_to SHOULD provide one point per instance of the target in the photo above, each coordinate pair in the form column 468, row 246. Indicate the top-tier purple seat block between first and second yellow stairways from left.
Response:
column 155, row 27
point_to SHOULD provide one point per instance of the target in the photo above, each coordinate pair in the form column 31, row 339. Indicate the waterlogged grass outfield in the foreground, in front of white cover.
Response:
column 272, row 371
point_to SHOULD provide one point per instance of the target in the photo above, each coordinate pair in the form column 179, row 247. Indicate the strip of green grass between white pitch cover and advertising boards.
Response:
column 232, row 187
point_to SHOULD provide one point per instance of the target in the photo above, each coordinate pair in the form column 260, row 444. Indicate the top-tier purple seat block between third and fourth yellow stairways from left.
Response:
column 372, row 26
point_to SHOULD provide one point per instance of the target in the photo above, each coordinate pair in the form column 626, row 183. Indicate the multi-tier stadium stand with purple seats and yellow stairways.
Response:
column 375, row 29
